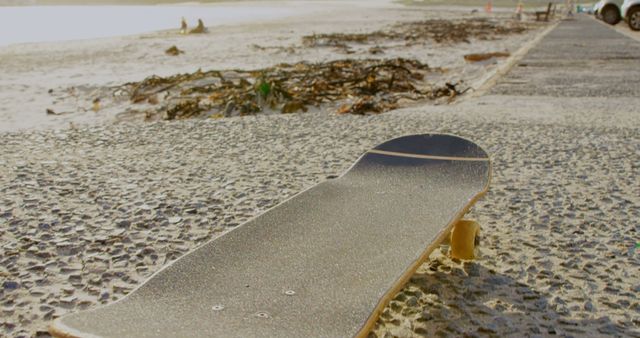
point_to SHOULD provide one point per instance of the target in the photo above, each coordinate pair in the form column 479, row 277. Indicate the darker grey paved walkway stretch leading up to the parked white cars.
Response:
column 580, row 58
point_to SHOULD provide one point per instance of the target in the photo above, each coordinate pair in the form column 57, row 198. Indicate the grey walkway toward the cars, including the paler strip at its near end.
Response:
column 582, row 73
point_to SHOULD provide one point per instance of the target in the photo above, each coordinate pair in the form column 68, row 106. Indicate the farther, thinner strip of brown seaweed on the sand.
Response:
column 440, row 31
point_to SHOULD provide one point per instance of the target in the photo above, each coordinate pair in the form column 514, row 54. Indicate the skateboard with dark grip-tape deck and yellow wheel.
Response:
column 323, row 263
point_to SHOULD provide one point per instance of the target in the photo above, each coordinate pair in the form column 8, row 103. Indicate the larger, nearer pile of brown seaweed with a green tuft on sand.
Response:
column 353, row 86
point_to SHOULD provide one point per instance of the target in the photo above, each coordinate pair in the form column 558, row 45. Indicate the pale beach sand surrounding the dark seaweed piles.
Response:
column 78, row 72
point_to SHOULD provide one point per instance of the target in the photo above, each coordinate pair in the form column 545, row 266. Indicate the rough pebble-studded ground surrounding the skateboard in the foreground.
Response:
column 88, row 214
